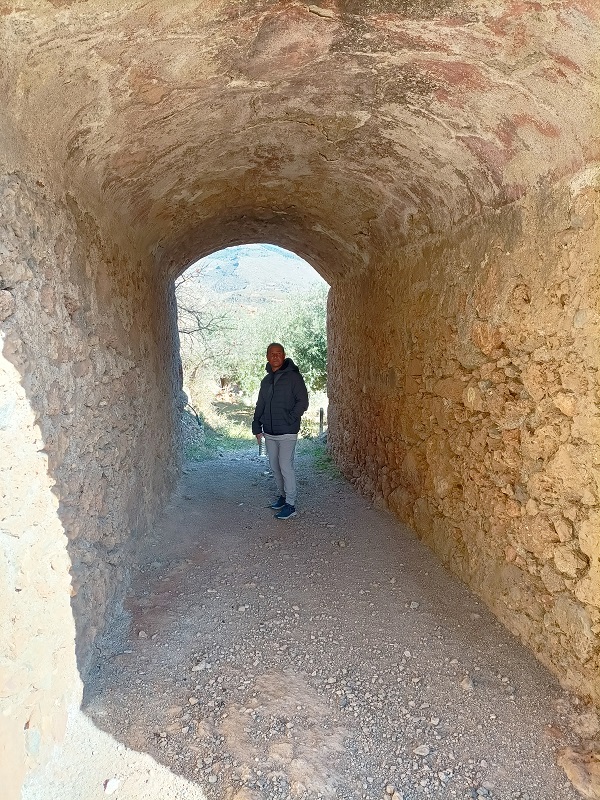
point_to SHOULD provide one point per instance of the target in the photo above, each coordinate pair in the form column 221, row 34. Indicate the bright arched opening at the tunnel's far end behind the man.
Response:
column 231, row 304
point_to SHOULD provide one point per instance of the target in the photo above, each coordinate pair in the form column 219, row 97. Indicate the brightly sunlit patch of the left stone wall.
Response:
column 38, row 675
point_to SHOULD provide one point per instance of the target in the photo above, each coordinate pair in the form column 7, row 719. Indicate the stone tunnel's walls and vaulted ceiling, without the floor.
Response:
column 437, row 161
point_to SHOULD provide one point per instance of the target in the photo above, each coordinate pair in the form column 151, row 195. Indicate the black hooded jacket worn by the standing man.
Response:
column 282, row 400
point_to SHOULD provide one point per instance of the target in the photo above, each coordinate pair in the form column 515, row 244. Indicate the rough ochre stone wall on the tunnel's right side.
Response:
column 465, row 397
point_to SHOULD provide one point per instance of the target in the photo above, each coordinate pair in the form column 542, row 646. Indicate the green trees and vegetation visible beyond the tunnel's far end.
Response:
column 223, row 352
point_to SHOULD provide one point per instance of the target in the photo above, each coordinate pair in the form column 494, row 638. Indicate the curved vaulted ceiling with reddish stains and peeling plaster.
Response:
column 334, row 130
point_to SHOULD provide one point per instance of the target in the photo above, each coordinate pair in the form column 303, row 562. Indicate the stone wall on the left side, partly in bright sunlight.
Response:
column 86, row 437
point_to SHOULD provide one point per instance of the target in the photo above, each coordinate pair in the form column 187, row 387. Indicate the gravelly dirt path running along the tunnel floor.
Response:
column 328, row 656
